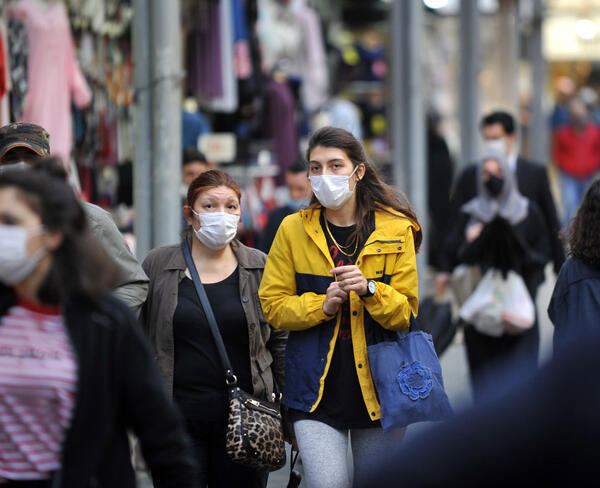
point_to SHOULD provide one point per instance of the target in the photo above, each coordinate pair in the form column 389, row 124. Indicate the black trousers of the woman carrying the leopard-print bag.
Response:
column 215, row 468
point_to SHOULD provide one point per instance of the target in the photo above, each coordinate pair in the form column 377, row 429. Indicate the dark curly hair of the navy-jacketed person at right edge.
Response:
column 583, row 233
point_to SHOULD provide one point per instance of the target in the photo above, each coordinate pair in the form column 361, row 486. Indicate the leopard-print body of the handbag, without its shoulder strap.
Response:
column 254, row 435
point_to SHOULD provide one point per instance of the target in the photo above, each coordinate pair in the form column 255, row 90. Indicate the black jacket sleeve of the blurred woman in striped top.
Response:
column 151, row 414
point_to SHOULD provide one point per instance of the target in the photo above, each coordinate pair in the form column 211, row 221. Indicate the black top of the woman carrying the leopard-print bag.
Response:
column 199, row 378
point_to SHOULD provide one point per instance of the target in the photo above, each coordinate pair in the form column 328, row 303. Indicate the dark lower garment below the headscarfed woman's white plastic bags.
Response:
column 491, row 359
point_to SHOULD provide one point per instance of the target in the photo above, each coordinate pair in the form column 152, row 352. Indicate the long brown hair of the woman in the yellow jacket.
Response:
column 372, row 193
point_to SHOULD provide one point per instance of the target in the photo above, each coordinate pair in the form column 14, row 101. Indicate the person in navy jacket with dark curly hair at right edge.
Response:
column 575, row 305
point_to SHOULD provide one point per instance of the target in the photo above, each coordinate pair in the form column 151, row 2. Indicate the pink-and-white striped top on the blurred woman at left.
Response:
column 38, row 377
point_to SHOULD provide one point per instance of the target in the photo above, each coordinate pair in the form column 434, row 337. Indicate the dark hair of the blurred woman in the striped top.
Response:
column 80, row 268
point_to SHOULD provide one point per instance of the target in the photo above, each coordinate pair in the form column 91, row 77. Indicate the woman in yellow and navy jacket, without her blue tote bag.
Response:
column 340, row 274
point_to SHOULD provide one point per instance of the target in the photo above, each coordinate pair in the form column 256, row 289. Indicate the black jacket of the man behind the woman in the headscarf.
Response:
column 532, row 182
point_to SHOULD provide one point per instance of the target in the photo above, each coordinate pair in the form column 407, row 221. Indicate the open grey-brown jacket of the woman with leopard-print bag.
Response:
column 165, row 266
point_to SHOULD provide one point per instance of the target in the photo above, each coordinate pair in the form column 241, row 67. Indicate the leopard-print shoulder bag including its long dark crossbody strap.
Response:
column 254, row 426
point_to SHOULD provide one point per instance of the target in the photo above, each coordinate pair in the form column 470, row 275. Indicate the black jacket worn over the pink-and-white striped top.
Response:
column 118, row 389
